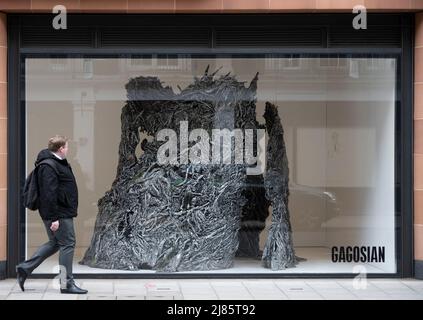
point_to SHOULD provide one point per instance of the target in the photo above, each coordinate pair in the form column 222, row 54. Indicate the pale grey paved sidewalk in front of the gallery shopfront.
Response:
column 219, row 289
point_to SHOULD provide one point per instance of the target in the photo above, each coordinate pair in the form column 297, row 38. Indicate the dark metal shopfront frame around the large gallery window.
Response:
column 249, row 35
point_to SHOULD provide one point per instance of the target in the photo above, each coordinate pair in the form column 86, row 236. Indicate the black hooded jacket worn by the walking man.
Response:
column 58, row 193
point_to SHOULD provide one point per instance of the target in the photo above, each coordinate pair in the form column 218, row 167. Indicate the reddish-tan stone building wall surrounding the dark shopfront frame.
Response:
column 220, row 6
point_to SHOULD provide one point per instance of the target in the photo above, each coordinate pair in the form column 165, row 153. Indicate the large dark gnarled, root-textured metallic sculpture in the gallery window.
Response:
column 185, row 216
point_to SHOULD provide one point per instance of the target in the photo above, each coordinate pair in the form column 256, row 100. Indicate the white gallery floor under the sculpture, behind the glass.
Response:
column 318, row 261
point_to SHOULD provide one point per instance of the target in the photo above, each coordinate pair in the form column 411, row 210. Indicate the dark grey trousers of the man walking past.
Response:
column 63, row 240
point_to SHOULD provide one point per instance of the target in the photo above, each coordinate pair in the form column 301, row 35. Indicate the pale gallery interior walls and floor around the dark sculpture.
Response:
column 338, row 118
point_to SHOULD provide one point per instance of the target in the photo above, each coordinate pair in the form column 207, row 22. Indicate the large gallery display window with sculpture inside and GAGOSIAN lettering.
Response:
column 337, row 114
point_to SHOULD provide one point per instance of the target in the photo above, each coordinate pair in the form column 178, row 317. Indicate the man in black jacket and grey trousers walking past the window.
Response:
column 58, row 204
